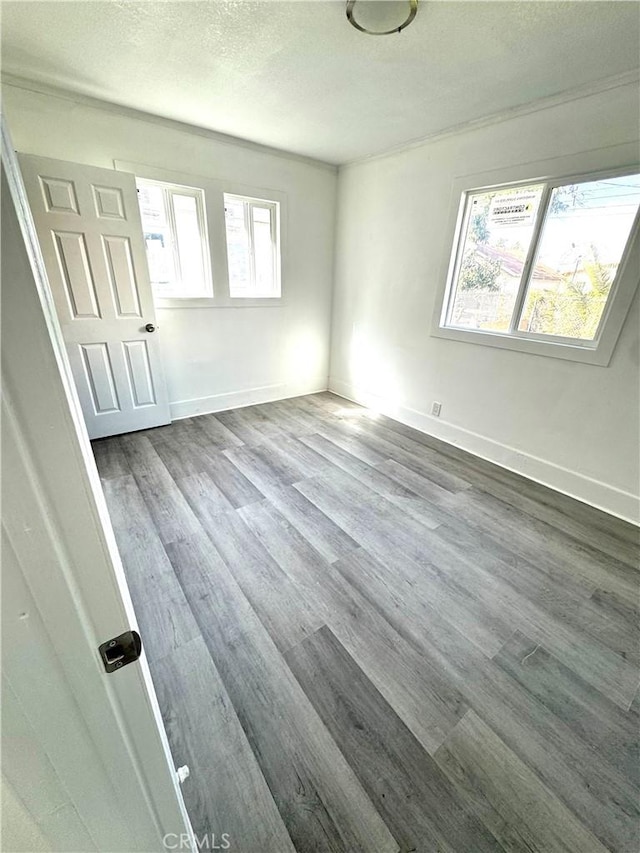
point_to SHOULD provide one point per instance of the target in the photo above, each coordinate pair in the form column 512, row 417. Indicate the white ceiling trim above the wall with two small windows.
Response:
column 18, row 82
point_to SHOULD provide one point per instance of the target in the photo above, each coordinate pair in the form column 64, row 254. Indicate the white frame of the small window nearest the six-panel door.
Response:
column 197, row 193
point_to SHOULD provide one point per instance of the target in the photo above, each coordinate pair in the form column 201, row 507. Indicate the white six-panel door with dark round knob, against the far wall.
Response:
column 88, row 225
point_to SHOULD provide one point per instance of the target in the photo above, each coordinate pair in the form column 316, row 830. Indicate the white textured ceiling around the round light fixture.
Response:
column 296, row 76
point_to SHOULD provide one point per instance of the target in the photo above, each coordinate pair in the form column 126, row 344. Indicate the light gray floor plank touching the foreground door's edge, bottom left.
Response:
column 225, row 782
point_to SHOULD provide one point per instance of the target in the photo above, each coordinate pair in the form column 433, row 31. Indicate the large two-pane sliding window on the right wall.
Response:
column 541, row 261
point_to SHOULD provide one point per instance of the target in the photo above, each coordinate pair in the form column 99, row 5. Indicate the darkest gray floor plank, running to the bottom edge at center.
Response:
column 416, row 801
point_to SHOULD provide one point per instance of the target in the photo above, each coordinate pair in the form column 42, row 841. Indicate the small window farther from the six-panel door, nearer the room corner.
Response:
column 253, row 246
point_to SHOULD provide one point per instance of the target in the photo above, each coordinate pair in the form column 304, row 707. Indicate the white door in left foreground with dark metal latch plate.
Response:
column 84, row 751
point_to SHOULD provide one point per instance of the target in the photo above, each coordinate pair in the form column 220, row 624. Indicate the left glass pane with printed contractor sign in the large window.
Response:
column 497, row 234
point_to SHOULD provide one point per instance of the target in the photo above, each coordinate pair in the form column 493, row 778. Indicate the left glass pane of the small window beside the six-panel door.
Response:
column 157, row 238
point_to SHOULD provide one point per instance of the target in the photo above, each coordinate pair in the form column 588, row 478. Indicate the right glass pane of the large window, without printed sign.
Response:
column 585, row 232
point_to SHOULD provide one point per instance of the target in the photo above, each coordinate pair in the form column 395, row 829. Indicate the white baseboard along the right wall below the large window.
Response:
column 601, row 495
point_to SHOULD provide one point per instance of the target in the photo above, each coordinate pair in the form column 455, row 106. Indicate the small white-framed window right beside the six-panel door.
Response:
column 175, row 235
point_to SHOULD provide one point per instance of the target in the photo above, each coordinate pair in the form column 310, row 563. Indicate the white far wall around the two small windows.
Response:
column 214, row 357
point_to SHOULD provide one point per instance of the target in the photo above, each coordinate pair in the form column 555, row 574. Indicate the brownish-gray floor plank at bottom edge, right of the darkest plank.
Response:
column 510, row 799
